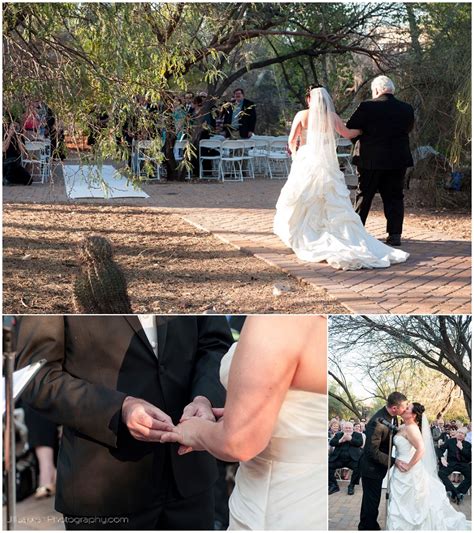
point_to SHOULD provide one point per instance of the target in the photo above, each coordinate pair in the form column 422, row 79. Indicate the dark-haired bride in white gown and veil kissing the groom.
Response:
column 418, row 499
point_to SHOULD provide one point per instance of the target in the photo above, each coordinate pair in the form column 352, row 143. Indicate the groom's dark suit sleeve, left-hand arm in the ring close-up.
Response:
column 90, row 409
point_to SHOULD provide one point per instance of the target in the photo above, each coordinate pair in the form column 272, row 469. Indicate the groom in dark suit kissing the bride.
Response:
column 376, row 459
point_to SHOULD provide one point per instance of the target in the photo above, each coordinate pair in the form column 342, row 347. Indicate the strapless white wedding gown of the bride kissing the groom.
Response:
column 418, row 499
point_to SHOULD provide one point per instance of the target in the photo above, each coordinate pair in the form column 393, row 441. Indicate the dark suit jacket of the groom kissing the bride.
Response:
column 375, row 459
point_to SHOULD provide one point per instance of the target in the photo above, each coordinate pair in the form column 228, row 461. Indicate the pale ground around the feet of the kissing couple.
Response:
column 344, row 510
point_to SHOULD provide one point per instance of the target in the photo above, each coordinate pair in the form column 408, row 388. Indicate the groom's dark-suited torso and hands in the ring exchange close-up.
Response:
column 116, row 383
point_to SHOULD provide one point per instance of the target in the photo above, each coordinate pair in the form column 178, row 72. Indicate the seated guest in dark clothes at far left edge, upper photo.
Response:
column 12, row 147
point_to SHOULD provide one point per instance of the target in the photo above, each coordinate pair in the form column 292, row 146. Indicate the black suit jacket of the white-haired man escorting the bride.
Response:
column 385, row 123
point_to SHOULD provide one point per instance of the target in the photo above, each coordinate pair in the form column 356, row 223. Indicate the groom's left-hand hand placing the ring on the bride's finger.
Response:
column 145, row 421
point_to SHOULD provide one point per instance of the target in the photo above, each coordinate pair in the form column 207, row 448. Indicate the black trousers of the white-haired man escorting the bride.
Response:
column 389, row 183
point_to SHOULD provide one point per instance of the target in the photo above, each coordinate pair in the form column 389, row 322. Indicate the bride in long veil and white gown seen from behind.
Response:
column 314, row 215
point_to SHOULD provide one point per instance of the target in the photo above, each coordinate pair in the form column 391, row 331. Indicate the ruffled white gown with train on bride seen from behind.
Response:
column 314, row 216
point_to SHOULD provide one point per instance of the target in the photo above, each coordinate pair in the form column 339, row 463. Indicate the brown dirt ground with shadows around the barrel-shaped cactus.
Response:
column 170, row 266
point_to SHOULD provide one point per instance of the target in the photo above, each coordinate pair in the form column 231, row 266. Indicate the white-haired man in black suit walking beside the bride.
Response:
column 382, row 154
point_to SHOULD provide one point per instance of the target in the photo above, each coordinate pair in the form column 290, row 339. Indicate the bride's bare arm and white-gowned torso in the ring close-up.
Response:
column 274, row 424
